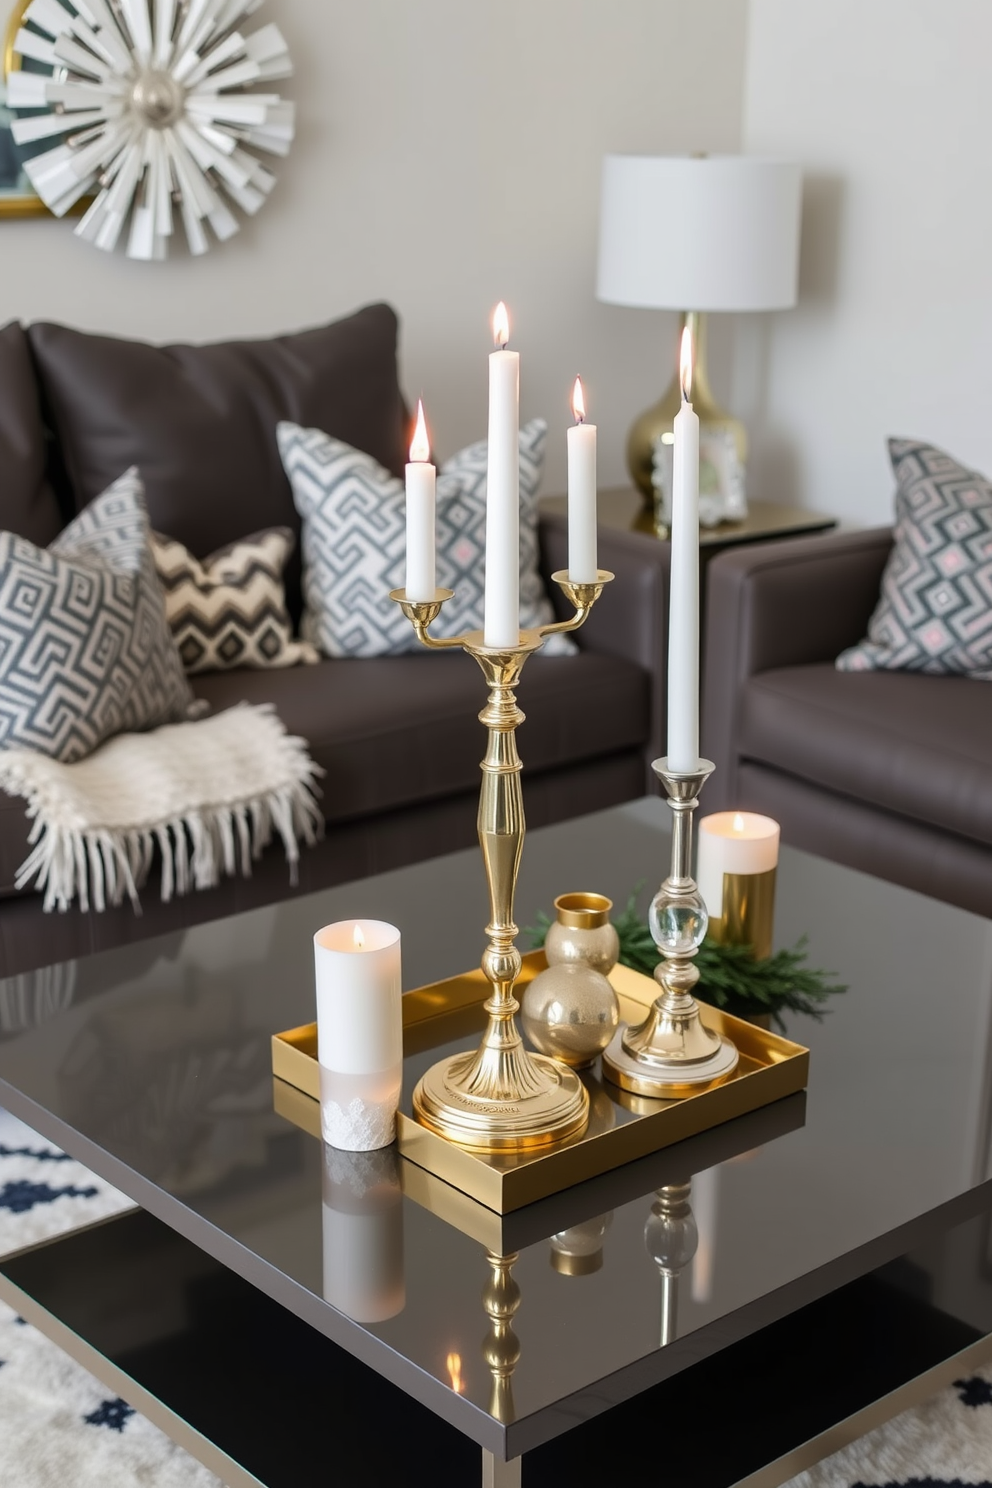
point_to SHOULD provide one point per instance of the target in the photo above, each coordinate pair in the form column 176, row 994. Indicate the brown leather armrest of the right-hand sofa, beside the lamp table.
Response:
column 780, row 605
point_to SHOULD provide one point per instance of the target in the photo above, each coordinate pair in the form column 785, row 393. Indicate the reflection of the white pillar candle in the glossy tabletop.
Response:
column 364, row 1234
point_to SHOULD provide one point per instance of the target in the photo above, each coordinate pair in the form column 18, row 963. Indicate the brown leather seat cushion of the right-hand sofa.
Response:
column 915, row 745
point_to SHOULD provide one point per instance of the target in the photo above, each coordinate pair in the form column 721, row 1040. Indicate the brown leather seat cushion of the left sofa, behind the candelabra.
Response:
column 402, row 730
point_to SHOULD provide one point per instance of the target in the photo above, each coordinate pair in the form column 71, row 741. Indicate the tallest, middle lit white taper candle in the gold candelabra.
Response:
column 503, row 492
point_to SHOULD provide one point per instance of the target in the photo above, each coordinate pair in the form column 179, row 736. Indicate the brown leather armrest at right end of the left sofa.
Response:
column 631, row 620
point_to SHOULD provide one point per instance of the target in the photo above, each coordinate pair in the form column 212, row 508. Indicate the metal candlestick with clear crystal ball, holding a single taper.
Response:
column 673, row 1054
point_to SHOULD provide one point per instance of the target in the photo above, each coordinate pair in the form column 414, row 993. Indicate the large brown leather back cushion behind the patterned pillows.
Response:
column 200, row 422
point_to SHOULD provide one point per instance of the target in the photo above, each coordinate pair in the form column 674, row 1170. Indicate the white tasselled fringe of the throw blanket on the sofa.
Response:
column 100, row 868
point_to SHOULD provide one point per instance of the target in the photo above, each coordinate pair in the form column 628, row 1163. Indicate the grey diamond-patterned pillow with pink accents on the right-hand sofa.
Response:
column 935, row 612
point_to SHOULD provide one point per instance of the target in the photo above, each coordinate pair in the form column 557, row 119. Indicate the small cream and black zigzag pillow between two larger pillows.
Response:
column 230, row 611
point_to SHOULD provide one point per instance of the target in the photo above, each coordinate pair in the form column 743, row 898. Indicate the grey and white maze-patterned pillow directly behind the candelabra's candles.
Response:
column 355, row 544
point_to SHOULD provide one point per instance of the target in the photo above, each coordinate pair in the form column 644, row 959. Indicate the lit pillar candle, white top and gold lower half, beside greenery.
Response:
column 735, row 874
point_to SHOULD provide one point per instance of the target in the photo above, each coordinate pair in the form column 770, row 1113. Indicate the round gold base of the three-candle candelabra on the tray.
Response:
column 554, row 1109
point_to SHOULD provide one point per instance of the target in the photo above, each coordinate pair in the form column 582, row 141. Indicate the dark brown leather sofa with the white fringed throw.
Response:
column 399, row 739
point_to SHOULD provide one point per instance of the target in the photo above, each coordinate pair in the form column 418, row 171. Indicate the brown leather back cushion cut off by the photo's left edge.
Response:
column 28, row 504
